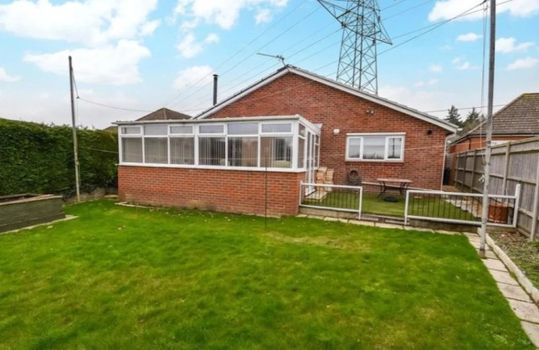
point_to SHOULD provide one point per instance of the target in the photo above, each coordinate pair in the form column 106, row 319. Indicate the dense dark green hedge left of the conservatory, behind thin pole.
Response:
column 36, row 158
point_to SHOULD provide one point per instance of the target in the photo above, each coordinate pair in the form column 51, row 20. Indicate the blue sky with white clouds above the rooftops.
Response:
column 131, row 57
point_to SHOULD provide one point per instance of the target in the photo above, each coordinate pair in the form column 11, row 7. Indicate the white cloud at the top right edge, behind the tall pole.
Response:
column 446, row 9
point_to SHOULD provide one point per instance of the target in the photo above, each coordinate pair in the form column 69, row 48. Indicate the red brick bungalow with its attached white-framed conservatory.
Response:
column 251, row 151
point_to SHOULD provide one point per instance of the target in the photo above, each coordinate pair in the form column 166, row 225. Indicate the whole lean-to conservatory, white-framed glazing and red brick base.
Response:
column 247, row 164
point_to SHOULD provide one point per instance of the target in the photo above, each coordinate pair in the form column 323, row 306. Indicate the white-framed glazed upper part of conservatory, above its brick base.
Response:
column 284, row 143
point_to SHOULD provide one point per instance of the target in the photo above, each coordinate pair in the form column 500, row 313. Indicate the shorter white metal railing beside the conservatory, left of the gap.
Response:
column 331, row 197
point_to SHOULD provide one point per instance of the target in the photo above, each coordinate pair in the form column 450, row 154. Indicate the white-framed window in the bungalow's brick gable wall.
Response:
column 375, row 147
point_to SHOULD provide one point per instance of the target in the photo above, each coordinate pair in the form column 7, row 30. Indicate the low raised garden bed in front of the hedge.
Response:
column 21, row 210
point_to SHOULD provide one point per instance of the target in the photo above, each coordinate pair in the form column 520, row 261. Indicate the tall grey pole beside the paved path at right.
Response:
column 491, row 62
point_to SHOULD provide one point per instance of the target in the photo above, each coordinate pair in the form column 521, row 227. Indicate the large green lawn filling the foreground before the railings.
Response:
column 121, row 277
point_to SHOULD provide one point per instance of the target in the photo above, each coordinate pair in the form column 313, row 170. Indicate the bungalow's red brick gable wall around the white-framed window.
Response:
column 293, row 94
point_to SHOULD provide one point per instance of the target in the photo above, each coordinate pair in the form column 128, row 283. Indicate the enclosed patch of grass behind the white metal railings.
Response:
column 372, row 204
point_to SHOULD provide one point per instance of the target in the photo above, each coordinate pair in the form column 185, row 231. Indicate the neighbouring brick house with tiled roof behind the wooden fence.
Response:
column 518, row 120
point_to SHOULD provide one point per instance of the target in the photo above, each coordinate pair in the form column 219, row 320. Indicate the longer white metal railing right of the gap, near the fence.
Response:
column 461, row 207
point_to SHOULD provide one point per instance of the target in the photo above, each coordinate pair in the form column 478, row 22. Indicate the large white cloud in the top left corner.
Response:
column 89, row 23
